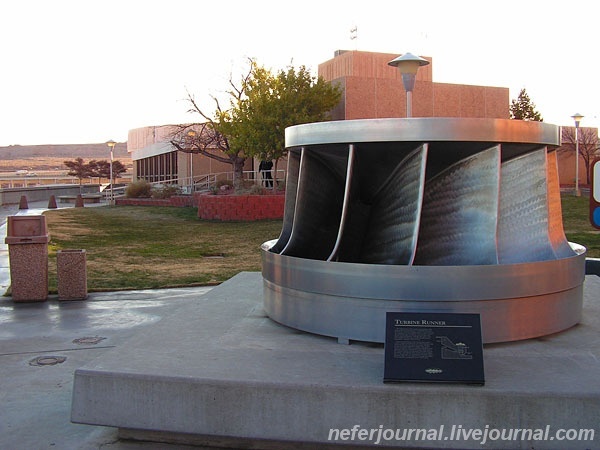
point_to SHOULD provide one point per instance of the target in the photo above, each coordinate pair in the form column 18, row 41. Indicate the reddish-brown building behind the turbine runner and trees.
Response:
column 372, row 89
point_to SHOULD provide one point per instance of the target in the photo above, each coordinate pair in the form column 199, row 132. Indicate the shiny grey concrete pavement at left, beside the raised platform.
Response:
column 42, row 344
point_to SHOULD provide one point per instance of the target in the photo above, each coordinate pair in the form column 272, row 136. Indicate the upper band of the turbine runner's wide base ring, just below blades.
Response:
column 424, row 283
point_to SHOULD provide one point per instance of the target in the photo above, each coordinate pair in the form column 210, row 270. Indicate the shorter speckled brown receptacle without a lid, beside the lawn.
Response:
column 71, row 274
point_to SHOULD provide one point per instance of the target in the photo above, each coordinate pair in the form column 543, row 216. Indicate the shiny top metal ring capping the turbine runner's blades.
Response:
column 423, row 129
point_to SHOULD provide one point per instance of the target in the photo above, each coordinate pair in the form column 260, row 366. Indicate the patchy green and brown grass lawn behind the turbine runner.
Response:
column 129, row 247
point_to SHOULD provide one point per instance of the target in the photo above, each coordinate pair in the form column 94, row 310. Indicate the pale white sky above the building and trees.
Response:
column 87, row 71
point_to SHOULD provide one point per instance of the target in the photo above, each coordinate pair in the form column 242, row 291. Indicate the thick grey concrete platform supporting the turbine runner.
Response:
column 218, row 372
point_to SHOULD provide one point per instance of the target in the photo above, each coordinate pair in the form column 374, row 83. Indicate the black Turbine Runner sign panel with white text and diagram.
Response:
column 440, row 347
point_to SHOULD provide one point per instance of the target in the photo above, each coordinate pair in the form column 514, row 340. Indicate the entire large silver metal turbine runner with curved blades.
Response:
column 424, row 215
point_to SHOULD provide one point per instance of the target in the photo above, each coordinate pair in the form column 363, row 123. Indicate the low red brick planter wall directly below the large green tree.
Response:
column 240, row 207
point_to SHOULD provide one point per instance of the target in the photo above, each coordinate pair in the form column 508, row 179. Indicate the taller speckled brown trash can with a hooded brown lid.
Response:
column 27, row 238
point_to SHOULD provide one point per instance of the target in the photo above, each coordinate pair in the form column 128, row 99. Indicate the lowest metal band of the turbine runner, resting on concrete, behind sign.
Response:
column 364, row 319
